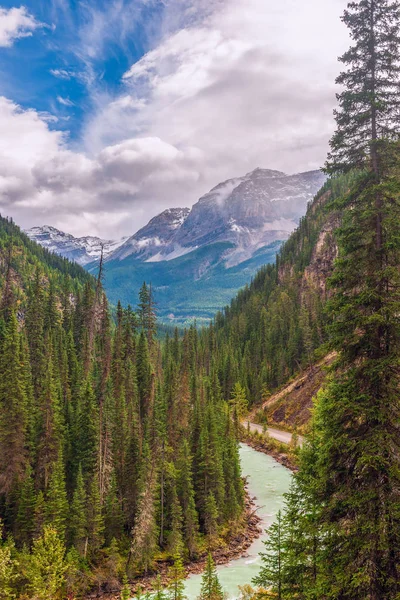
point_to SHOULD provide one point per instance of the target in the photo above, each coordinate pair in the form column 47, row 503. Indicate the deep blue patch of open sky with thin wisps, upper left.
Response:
column 81, row 49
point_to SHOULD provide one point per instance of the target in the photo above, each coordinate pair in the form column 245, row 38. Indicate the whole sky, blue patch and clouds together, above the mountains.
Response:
column 113, row 110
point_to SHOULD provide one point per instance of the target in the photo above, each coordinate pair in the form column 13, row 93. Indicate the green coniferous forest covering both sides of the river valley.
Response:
column 119, row 446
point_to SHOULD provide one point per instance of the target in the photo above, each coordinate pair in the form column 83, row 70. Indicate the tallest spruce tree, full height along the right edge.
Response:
column 358, row 478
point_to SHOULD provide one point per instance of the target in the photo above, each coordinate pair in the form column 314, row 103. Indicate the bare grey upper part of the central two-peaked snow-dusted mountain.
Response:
column 249, row 212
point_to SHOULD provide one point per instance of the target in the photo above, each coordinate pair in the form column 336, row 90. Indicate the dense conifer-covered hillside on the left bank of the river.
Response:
column 115, row 452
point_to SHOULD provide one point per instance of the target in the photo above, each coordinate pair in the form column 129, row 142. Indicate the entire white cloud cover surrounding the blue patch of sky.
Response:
column 234, row 84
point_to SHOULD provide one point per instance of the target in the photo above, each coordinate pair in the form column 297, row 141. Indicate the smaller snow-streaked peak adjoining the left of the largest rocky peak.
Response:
column 150, row 241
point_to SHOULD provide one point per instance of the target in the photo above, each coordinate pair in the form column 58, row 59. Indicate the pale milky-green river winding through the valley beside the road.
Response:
column 268, row 481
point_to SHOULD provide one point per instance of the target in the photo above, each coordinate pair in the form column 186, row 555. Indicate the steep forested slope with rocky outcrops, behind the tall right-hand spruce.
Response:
column 276, row 327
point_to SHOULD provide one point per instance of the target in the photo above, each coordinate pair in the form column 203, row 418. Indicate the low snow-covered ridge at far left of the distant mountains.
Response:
column 82, row 250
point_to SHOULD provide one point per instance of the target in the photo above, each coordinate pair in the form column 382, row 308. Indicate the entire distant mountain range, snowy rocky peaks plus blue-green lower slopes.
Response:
column 196, row 259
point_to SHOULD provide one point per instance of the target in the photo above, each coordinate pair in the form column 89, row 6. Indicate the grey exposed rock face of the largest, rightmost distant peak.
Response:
column 251, row 212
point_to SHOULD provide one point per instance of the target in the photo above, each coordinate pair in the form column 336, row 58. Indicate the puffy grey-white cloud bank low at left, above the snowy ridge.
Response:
column 41, row 180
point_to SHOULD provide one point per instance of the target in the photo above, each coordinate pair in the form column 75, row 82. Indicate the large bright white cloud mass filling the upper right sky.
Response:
column 247, row 83
